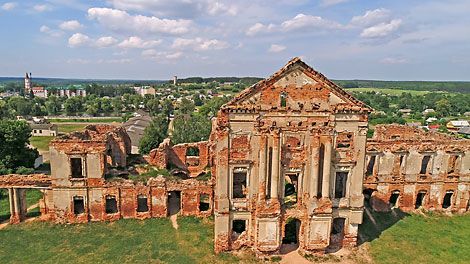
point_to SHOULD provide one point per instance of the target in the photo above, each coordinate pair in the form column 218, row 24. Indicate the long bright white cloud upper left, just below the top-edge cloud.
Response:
column 121, row 21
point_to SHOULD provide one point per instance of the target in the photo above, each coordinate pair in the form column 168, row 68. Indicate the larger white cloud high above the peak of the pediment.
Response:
column 303, row 21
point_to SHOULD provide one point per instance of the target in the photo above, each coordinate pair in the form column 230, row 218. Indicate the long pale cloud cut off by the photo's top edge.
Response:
column 178, row 8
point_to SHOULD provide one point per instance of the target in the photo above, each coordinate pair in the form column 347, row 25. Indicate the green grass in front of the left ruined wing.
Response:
column 124, row 241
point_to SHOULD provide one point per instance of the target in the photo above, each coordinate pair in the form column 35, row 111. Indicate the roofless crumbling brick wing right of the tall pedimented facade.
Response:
column 411, row 169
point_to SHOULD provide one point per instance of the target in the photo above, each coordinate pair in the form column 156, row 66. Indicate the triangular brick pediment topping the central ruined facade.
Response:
column 297, row 86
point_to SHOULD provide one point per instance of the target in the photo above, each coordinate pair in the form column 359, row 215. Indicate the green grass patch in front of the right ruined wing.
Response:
column 424, row 239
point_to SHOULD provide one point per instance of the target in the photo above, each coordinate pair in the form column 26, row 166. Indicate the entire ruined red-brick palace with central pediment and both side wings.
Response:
column 289, row 153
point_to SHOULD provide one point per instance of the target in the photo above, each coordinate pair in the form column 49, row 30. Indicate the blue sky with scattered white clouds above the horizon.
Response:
column 156, row 39
